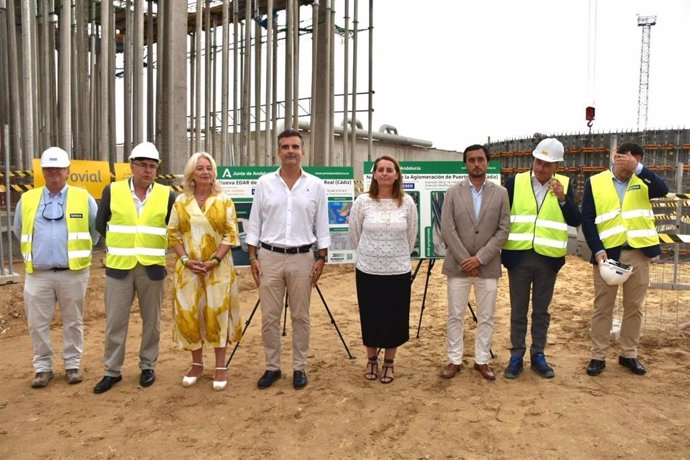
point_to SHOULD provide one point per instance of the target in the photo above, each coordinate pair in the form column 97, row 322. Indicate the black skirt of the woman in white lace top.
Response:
column 384, row 309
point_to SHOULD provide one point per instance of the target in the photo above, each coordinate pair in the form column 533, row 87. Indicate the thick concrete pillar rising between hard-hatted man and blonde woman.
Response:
column 173, row 141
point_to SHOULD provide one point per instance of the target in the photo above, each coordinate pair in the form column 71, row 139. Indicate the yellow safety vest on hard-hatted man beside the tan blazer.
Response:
column 543, row 230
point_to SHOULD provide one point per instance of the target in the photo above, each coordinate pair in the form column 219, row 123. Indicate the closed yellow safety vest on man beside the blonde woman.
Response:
column 131, row 238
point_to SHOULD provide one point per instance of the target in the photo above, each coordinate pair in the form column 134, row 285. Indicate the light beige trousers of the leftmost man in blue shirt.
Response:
column 42, row 289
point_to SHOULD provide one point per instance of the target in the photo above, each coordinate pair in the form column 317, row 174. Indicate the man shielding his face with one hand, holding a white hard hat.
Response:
column 618, row 224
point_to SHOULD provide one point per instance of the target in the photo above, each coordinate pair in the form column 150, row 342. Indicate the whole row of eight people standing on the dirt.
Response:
column 524, row 226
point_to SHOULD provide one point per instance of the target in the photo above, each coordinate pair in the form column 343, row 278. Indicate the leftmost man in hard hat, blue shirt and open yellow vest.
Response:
column 56, row 227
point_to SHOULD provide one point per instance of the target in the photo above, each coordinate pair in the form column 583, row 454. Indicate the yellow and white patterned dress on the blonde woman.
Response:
column 206, row 309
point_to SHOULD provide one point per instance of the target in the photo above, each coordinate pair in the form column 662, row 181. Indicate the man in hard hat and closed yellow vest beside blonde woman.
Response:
column 132, row 216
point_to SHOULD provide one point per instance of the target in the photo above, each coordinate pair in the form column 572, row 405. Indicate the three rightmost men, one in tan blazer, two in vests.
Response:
column 524, row 226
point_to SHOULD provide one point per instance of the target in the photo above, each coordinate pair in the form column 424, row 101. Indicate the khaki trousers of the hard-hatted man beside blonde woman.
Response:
column 119, row 295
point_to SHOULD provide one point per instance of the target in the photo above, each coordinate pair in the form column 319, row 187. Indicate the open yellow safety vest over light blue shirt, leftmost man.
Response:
column 77, row 217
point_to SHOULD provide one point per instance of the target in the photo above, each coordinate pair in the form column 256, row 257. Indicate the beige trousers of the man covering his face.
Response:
column 634, row 293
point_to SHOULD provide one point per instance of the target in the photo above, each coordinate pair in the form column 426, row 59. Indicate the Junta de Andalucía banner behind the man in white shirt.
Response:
column 239, row 182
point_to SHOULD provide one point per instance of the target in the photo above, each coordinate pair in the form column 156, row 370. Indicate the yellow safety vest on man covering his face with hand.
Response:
column 633, row 223
